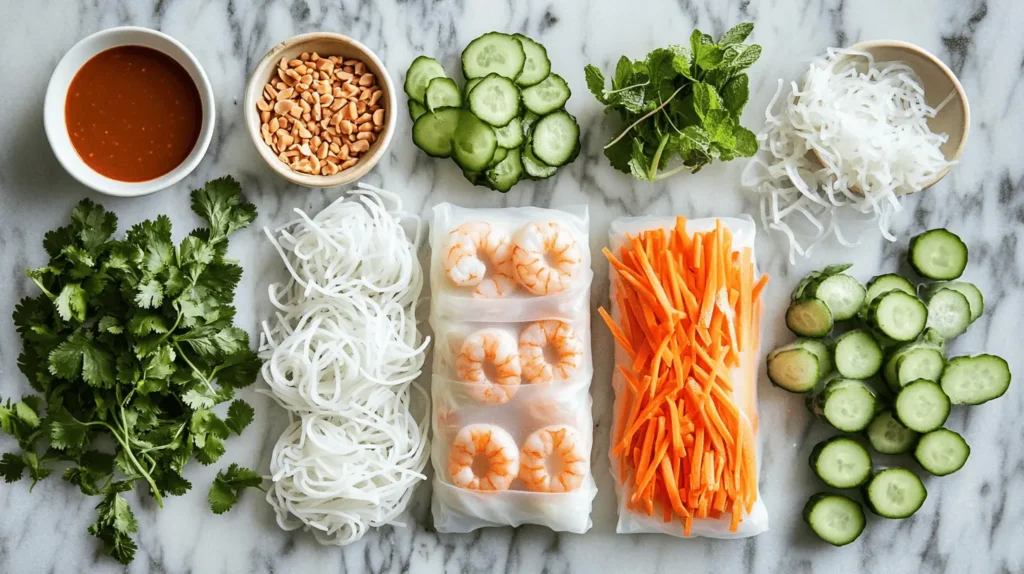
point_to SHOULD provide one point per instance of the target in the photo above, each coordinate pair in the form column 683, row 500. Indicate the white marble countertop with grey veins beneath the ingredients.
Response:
column 971, row 521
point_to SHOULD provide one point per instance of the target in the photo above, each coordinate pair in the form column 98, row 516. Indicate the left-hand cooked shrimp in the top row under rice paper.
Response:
column 482, row 257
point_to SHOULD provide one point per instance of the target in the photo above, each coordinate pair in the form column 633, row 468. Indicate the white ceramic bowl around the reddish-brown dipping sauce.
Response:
column 57, row 94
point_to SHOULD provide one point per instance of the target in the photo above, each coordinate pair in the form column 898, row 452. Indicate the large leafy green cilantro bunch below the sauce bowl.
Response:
column 132, row 344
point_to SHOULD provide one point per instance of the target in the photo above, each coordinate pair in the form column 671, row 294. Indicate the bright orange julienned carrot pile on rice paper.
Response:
column 690, row 310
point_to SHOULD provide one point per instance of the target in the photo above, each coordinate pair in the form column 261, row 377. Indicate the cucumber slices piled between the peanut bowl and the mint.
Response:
column 509, row 120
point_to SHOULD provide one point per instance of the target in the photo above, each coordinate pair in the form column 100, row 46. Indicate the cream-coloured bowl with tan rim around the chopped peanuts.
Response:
column 325, row 45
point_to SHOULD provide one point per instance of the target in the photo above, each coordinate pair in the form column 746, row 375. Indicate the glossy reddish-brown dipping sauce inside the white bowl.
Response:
column 134, row 114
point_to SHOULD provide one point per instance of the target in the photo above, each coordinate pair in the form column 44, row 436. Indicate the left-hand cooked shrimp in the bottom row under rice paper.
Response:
column 484, row 458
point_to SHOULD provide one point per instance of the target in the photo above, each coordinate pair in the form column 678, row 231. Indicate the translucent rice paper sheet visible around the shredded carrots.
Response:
column 745, row 391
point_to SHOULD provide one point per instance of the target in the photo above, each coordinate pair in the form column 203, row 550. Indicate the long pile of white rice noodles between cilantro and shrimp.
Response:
column 343, row 357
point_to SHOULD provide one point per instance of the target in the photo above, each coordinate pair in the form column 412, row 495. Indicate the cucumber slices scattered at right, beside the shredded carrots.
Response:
column 887, row 377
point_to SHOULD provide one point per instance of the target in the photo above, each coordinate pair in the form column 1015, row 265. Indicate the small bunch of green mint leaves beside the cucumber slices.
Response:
column 680, row 102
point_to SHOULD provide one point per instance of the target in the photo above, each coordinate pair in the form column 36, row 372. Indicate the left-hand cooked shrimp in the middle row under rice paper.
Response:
column 490, row 361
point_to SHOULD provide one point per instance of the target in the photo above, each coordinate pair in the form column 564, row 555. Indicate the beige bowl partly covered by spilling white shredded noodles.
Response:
column 938, row 81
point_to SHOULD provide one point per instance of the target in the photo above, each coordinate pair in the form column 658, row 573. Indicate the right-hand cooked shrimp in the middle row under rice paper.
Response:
column 562, row 340
